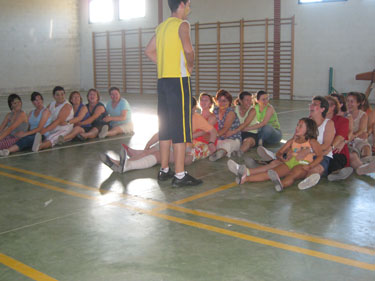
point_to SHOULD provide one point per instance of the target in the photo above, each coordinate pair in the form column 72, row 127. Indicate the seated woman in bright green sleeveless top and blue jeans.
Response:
column 268, row 127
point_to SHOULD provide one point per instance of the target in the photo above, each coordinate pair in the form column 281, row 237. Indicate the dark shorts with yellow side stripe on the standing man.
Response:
column 174, row 109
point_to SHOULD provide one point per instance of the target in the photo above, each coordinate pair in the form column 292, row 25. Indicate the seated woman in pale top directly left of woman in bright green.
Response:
column 247, row 116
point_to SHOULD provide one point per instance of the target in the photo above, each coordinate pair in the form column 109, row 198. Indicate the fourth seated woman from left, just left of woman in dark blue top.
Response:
column 80, row 114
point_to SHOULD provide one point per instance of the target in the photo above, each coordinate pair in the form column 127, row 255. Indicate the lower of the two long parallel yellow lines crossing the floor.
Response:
column 247, row 237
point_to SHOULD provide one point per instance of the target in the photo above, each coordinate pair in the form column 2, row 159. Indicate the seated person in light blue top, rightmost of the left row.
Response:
column 119, row 116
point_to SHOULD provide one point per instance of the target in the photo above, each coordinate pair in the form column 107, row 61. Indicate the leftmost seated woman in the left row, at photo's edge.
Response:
column 14, row 123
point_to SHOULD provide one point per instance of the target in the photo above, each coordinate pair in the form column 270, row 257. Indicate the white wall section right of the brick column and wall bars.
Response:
column 339, row 35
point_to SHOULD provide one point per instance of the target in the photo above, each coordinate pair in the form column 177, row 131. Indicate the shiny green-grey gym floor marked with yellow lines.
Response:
column 66, row 216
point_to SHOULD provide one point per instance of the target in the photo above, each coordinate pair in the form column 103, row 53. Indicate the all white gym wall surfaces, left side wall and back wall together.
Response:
column 338, row 34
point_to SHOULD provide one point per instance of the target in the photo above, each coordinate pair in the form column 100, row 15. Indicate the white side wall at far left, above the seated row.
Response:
column 39, row 45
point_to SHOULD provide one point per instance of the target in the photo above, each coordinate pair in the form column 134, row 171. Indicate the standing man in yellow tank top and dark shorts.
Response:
column 171, row 49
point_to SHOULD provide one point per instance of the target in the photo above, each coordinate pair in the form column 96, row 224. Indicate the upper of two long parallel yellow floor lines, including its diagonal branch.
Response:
column 163, row 206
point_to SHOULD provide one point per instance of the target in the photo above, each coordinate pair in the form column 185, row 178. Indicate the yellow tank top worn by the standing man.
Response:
column 171, row 59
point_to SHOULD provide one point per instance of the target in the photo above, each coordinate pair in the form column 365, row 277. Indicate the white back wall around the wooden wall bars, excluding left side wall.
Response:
column 339, row 35
